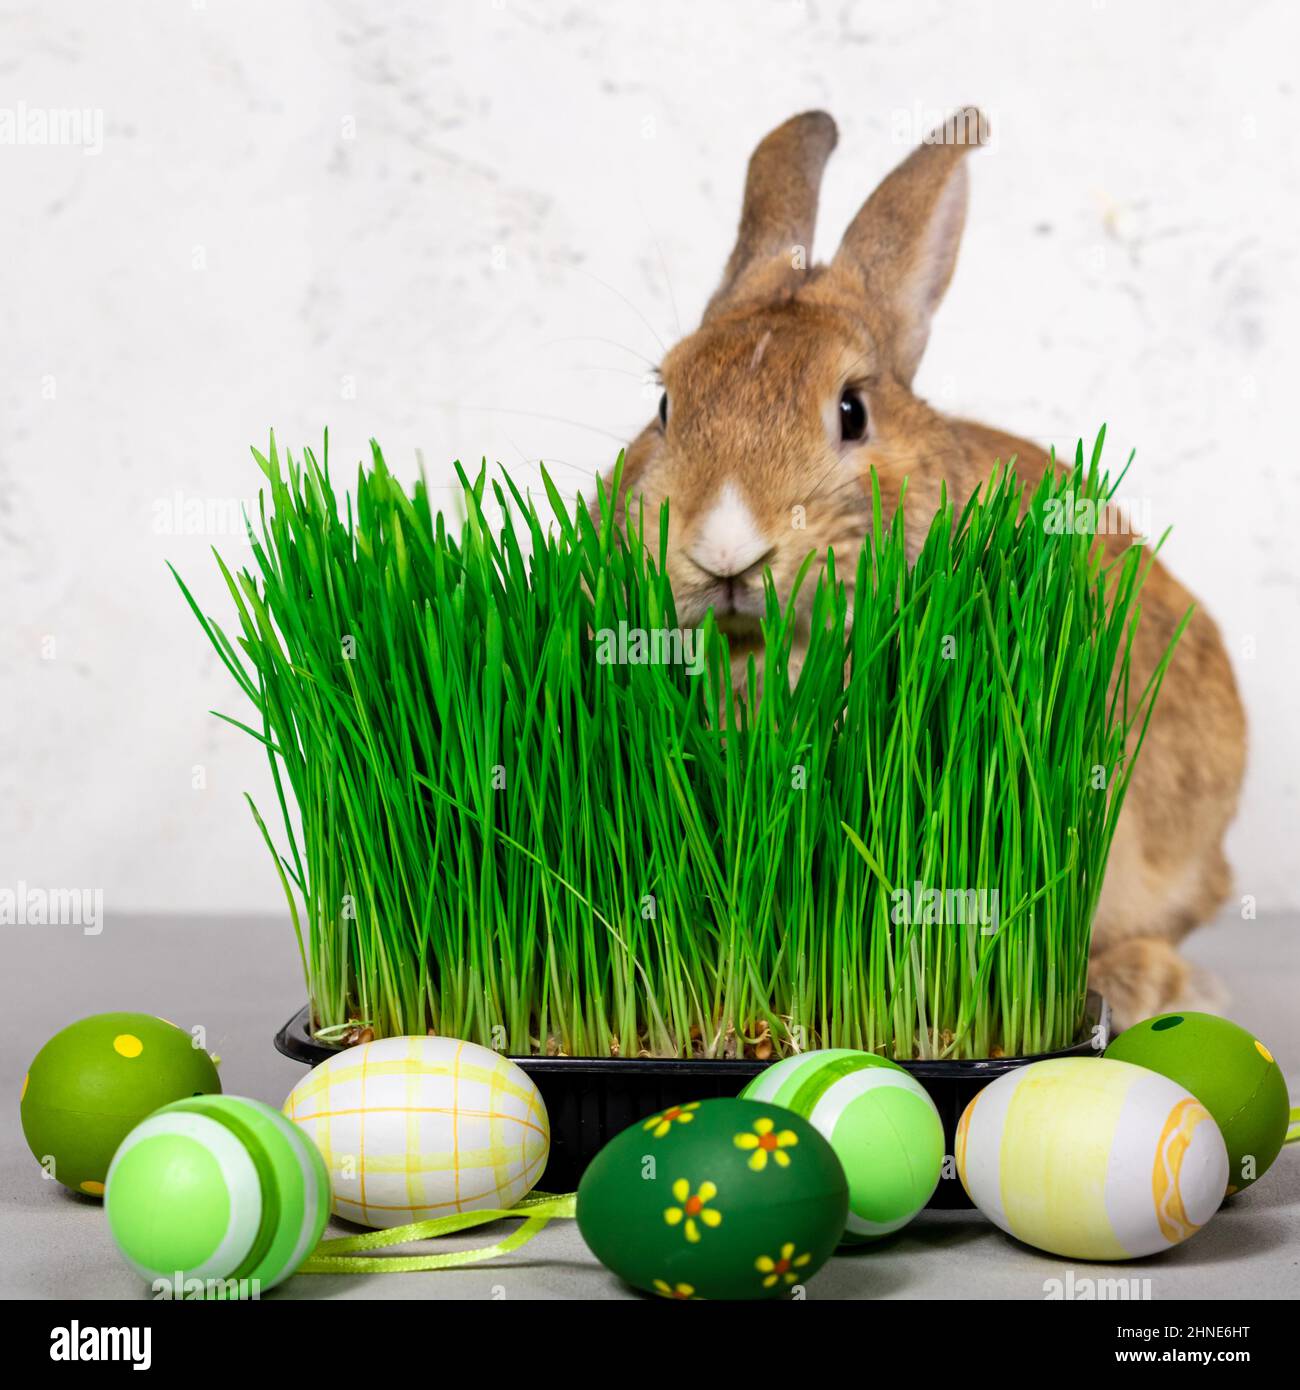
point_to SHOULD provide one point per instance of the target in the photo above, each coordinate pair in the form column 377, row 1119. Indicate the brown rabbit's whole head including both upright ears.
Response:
column 799, row 382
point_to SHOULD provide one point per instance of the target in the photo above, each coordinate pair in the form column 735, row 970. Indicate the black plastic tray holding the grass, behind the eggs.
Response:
column 593, row 1099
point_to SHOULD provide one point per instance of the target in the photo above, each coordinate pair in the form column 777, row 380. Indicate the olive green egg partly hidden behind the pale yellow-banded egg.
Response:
column 1230, row 1072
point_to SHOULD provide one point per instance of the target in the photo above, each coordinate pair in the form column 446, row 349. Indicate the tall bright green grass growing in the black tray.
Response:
column 493, row 835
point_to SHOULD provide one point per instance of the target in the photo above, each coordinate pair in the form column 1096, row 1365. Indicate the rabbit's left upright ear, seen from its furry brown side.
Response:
column 777, row 223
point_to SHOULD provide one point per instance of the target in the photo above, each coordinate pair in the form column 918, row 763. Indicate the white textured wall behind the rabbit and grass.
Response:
column 465, row 230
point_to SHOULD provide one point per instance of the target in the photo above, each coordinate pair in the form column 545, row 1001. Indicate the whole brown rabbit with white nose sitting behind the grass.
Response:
column 797, row 384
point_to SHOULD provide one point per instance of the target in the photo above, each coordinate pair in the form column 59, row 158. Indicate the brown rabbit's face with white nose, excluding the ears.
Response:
column 768, row 426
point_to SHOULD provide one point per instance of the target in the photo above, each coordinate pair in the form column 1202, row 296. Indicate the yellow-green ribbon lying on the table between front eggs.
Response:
column 346, row 1256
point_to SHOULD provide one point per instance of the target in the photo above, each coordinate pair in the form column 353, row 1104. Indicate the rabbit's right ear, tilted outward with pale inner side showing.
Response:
column 902, row 247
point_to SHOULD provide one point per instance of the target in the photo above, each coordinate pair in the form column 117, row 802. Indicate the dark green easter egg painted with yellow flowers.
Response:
column 715, row 1200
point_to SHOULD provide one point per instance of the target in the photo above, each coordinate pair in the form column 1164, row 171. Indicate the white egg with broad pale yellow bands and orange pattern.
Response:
column 1092, row 1159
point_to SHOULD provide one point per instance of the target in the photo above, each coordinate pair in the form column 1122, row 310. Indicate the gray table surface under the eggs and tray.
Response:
column 240, row 979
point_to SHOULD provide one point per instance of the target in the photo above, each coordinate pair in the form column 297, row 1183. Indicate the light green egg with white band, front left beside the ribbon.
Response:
column 218, row 1189
